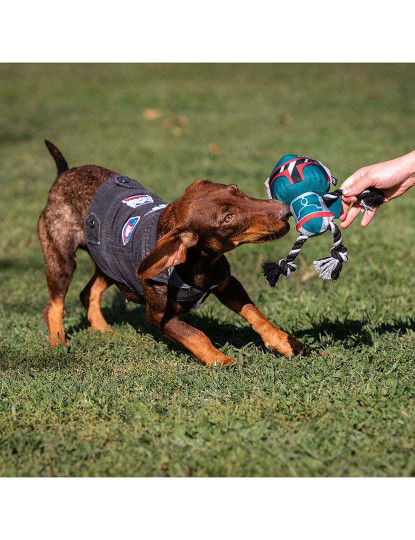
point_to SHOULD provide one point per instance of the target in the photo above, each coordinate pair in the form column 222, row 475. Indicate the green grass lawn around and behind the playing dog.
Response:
column 134, row 404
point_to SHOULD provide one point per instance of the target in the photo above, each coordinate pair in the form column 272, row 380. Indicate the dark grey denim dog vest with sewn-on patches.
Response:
column 121, row 230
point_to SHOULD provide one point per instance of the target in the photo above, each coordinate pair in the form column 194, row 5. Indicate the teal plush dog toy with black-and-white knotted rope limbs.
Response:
column 304, row 184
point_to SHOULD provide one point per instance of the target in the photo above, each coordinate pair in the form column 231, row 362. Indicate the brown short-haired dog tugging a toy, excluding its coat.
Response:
column 192, row 234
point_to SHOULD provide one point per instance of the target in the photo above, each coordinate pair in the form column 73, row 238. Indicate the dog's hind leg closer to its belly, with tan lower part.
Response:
column 91, row 300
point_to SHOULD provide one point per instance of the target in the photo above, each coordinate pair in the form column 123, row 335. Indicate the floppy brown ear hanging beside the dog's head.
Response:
column 170, row 250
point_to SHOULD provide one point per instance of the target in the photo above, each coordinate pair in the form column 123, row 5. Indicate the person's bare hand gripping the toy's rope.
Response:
column 392, row 177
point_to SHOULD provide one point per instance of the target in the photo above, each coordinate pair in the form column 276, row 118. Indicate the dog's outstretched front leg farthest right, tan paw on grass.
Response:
column 232, row 294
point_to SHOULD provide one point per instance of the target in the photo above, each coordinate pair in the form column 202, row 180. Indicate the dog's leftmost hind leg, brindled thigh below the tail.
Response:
column 60, row 261
